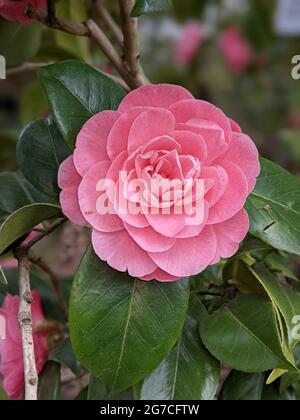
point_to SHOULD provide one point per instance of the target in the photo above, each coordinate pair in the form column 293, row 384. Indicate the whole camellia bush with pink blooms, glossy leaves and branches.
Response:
column 187, row 289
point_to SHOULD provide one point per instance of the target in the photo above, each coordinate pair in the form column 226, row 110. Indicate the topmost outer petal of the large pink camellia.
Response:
column 161, row 96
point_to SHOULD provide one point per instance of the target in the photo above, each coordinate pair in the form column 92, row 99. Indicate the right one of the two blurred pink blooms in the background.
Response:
column 236, row 49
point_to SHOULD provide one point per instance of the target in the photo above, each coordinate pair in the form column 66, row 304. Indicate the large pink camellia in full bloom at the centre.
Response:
column 161, row 132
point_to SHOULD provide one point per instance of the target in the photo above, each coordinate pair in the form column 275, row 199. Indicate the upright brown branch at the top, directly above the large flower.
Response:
column 131, row 43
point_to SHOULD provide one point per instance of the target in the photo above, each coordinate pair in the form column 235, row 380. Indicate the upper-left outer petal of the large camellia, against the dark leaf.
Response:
column 92, row 140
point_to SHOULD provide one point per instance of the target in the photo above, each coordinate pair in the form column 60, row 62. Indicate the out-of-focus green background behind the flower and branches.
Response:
column 263, row 97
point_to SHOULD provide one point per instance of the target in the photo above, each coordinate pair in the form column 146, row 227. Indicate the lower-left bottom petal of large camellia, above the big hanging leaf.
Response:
column 122, row 253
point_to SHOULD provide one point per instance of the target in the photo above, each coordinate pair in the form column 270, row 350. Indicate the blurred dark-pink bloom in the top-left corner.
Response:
column 14, row 9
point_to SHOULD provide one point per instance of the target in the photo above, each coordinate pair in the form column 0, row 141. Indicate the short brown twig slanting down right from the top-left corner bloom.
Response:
column 79, row 29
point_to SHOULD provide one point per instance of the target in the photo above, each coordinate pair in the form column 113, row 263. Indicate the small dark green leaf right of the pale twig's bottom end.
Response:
column 49, row 383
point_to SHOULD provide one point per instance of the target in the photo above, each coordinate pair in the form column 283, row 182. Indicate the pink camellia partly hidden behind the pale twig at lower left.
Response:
column 11, row 353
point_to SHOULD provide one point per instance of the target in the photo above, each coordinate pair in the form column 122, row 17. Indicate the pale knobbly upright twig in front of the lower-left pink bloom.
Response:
column 25, row 322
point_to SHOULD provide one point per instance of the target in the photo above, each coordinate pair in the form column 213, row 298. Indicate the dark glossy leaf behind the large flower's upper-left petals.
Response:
column 75, row 92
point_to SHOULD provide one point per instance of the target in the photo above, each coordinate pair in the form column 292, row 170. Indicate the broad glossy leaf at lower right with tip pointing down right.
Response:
column 245, row 336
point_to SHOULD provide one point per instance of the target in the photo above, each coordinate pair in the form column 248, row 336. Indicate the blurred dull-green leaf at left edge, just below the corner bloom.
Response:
column 19, row 43
